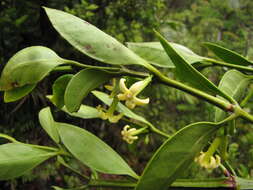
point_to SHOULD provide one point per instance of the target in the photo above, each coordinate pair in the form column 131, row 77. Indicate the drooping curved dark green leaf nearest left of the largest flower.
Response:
column 81, row 84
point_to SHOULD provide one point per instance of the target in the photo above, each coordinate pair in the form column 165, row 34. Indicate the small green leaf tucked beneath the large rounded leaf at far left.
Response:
column 18, row 93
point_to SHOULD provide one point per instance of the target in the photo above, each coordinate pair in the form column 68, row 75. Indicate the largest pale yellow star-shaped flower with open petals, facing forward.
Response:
column 129, row 95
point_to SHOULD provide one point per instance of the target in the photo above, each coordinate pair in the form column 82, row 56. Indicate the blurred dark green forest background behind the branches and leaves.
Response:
column 23, row 23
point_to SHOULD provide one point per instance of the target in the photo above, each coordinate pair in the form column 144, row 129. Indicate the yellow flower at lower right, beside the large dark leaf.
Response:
column 207, row 161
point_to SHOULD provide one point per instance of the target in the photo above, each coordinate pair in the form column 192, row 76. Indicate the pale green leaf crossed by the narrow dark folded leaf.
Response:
column 154, row 53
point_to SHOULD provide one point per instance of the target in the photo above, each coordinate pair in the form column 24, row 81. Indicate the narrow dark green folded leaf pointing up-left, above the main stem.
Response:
column 187, row 72
